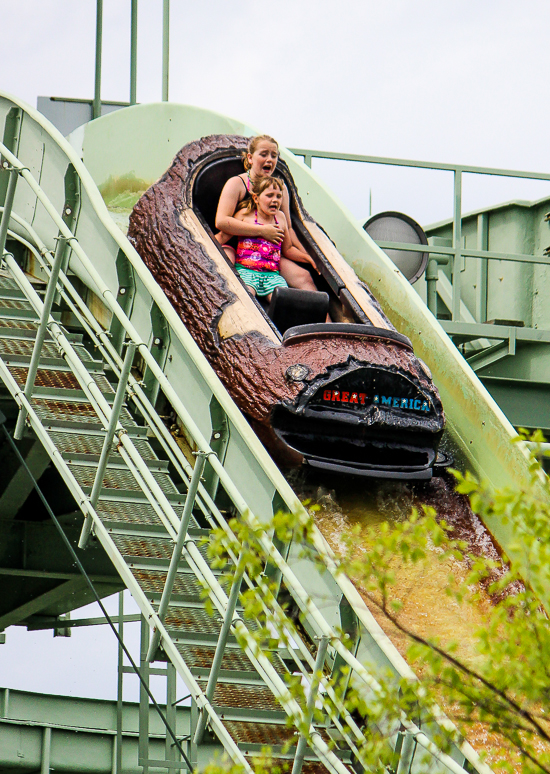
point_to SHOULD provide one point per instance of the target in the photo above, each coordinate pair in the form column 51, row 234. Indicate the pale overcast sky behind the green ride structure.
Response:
column 457, row 82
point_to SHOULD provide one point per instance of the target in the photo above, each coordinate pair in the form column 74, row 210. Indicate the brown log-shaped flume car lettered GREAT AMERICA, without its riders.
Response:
column 348, row 396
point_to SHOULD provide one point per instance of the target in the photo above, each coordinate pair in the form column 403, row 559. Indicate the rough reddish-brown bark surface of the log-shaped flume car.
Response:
column 251, row 366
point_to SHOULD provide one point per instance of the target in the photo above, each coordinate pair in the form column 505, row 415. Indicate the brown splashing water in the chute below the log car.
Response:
column 427, row 609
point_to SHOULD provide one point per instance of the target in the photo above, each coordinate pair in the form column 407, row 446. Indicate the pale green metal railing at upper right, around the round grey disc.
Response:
column 441, row 254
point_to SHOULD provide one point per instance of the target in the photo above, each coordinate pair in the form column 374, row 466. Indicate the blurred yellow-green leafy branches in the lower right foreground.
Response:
column 503, row 690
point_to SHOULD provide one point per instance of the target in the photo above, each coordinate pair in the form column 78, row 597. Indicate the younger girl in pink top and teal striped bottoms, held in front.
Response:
column 257, row 259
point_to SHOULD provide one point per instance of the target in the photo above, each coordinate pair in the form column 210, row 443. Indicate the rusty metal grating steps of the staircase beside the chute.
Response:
column 140, row 537
